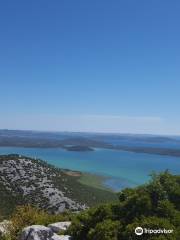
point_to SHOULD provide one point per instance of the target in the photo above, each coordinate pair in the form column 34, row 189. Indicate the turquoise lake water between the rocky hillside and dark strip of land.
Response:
column 123, row 169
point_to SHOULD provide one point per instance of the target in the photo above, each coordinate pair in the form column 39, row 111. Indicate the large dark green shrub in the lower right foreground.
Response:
column 152, row 206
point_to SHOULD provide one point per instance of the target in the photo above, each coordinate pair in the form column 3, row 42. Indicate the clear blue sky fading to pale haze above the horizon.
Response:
column 107, row 66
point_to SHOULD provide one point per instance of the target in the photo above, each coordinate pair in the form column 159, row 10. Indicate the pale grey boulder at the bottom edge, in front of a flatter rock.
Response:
column 38, row 232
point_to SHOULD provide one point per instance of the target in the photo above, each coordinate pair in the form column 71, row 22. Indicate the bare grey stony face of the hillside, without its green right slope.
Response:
column 36, row 182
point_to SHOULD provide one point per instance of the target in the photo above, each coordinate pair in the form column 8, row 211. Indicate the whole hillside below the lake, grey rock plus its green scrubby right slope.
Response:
column 25, row 180
